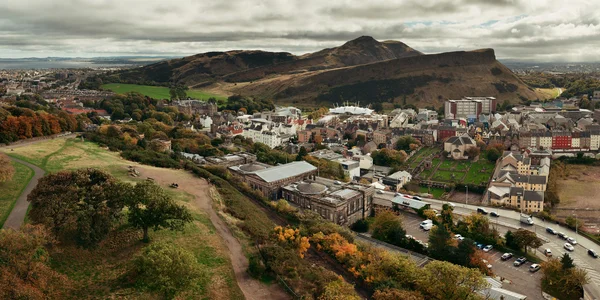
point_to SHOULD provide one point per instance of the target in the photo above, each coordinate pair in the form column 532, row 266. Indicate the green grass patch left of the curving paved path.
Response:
column 10, row 190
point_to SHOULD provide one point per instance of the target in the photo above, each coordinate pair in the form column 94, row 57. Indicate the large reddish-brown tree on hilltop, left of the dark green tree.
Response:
column 84, row 203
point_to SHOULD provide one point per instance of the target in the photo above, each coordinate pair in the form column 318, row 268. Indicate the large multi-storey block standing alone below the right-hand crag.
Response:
column 469, row 107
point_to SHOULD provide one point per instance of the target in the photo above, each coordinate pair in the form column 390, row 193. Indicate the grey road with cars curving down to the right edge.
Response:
column 510, row 219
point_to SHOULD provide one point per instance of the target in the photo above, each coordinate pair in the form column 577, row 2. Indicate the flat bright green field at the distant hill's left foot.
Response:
column 156, row 92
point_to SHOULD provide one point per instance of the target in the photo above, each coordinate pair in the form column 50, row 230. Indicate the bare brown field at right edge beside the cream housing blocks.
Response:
column 580, row 189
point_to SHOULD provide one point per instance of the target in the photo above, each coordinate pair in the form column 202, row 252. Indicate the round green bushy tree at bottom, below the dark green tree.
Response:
column 166, row 268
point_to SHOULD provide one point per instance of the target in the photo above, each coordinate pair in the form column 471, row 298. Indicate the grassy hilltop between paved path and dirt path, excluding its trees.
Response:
column 98, row 272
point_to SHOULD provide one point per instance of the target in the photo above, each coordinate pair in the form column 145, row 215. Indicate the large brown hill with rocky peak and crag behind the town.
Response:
column 362, row 69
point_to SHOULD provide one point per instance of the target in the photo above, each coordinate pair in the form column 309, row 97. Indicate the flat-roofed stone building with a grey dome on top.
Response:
column 338, row 202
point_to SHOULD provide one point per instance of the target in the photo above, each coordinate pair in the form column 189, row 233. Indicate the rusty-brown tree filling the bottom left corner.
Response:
column 24, row 264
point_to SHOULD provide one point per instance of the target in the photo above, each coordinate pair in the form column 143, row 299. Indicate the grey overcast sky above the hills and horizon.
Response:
column 540, row 30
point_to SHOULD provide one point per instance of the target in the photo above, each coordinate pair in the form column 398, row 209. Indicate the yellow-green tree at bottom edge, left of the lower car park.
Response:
column 444, row 280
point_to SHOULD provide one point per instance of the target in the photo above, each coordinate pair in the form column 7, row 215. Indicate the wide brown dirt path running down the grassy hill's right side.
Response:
column 199, row 188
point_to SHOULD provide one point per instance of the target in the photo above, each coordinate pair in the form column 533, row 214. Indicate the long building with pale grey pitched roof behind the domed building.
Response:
column 268, row 180
